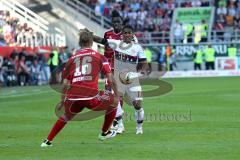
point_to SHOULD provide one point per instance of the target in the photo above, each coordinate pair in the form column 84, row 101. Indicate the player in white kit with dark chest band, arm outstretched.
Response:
column 129, row 55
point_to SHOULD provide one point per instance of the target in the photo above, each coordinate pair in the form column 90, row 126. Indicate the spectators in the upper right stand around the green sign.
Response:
column 151, row 19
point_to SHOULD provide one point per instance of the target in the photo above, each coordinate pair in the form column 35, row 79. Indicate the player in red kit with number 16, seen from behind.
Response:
column 80, row 89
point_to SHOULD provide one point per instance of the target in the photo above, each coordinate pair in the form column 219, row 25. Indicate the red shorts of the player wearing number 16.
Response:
column 100, row 103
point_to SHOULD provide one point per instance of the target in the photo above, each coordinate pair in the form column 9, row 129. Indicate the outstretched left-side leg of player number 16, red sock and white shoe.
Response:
column 71, row 108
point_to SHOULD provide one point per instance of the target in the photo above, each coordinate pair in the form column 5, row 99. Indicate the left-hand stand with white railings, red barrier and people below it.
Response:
column 25, row 44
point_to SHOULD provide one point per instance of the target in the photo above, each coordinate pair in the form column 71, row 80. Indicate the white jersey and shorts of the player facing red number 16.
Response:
column 126, row 57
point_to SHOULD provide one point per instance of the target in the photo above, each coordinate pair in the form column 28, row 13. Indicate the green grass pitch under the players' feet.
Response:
column 212, row 131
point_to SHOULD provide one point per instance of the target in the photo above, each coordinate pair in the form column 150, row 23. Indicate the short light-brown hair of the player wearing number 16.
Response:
column 85, row 38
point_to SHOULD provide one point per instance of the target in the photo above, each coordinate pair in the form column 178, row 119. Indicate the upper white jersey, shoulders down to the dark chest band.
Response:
column 131, row 52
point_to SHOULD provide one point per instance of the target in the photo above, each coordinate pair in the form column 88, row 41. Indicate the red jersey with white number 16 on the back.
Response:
column 82, row 70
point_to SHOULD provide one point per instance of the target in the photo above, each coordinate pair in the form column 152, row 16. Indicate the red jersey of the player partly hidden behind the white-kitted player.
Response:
column 109, row 52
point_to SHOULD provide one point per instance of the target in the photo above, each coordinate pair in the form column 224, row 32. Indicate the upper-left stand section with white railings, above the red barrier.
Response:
column 22, row 27
